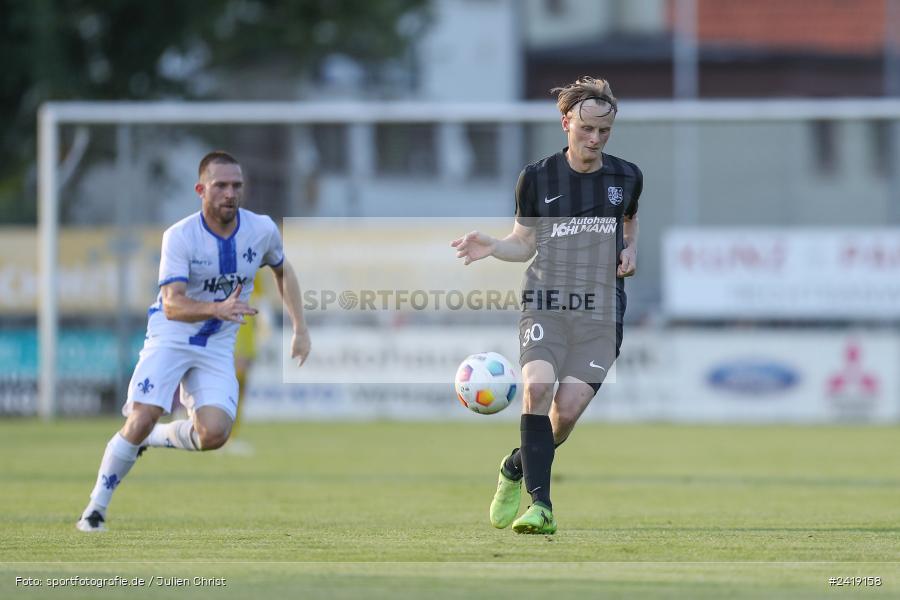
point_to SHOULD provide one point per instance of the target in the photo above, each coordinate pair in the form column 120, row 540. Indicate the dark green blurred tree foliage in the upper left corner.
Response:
column 132, row 49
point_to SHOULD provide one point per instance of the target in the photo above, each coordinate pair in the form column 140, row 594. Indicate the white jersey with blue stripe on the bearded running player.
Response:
column 211, row 266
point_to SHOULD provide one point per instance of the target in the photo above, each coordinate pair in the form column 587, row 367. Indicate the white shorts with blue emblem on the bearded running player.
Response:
column 207, row 379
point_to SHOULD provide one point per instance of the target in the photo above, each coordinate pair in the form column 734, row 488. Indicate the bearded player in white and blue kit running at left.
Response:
column 206, row 275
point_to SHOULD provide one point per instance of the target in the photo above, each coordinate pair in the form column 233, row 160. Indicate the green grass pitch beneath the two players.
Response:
column 395, row 510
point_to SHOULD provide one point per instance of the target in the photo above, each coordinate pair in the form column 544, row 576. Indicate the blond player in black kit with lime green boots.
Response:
column 576, row 214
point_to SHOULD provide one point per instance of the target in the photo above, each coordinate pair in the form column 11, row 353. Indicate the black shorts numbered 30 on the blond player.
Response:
column 579, row 345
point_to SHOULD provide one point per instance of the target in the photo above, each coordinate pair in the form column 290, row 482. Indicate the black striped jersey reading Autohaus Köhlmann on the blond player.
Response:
column 578, row 222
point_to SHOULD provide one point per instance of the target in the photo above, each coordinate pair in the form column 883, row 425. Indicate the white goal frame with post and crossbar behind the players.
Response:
column 53, row 115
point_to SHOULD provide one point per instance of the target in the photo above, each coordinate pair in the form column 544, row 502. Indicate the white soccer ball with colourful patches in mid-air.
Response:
column 486, row 383
